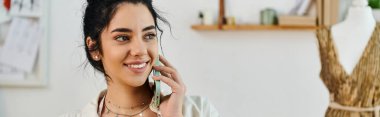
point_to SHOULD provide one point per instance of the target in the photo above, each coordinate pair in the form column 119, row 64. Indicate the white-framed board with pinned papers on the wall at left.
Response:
column 24, row 43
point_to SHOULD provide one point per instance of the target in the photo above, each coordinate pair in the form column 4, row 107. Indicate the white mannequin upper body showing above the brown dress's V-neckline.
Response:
column 352, row 35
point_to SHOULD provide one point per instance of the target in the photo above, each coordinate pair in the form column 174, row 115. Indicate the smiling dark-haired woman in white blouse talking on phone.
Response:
column 121, row 42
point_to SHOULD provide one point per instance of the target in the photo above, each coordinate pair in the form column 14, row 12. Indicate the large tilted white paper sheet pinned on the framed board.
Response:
column 21, row 44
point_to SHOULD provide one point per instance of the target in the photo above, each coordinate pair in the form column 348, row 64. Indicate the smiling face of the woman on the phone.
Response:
column 129, row 45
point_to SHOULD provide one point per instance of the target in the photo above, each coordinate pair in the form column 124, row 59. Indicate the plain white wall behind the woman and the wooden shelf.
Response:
column 243, row 73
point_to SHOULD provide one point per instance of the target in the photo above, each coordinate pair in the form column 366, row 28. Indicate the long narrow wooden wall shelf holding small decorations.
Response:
column 252, row 27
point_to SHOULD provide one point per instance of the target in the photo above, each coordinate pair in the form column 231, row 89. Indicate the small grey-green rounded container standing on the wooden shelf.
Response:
column 268, row 16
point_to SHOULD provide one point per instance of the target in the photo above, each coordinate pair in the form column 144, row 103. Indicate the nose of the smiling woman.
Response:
column 138, row 47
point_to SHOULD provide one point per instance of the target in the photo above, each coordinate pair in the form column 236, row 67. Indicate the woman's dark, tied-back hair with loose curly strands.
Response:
column 97, row 16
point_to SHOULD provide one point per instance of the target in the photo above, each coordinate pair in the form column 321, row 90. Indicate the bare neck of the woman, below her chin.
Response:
column 127, row 96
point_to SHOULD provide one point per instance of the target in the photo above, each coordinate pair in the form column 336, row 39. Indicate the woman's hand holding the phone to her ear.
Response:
column 171, row 105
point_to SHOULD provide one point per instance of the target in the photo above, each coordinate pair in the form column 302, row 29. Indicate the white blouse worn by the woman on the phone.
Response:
column 193, row 106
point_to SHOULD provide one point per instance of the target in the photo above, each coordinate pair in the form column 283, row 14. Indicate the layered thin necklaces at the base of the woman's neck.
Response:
column 139, row 113
